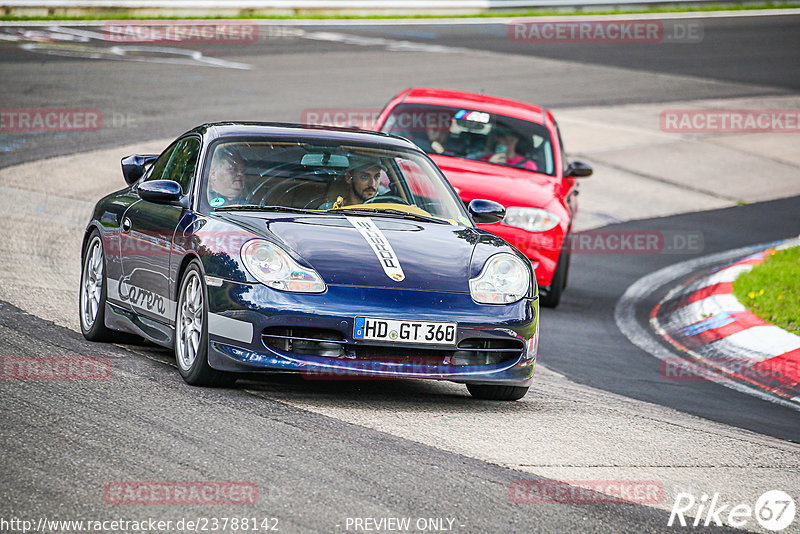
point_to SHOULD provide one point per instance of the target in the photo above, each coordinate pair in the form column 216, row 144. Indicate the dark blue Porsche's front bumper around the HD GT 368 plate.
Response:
column 242, row 316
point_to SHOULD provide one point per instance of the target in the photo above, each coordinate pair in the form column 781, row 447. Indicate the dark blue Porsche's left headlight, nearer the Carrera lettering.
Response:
column 272, row 266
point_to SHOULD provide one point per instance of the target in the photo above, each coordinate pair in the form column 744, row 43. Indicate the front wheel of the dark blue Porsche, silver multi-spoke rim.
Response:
column 191, row 332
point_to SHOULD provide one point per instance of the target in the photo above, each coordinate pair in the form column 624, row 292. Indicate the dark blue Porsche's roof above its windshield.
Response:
column 215, row 130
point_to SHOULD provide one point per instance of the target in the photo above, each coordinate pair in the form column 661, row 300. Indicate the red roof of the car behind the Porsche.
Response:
column 475, row 101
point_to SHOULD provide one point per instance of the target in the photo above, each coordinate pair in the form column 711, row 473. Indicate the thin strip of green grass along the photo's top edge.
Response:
column 127, row 15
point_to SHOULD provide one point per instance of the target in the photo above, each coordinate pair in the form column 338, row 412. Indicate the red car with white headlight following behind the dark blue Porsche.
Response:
column 501, row 150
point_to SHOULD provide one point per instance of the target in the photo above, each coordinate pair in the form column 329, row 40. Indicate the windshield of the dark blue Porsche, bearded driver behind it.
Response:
column 326, row 177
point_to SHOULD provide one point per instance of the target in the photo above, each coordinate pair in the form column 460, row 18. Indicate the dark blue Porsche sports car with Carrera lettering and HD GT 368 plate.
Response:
column 254, row 247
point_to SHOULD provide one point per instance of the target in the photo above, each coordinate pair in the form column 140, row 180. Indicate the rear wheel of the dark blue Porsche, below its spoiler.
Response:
column 92, row 300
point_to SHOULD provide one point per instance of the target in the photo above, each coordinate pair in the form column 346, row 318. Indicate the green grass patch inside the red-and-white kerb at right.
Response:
column 772, row 290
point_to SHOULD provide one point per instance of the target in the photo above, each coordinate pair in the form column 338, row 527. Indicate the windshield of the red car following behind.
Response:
column 477, row 135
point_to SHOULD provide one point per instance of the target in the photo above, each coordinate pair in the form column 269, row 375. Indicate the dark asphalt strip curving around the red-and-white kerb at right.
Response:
column 603, row 351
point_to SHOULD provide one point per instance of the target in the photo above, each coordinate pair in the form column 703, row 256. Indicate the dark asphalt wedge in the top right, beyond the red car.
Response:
column 766, row 53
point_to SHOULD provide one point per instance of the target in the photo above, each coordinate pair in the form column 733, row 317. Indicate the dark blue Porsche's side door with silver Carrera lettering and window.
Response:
column 147, row 237
